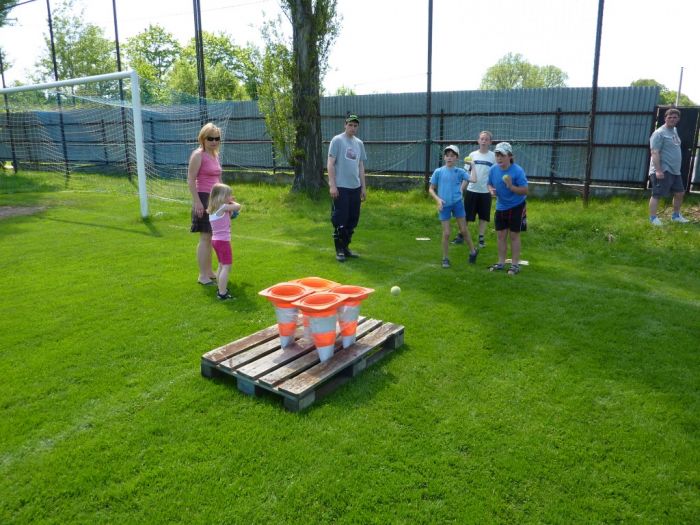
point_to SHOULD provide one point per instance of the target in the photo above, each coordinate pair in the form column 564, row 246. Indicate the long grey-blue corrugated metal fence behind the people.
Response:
column 547, row 127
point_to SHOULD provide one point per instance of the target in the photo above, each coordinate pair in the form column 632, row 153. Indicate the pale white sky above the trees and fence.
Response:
column 383, row 44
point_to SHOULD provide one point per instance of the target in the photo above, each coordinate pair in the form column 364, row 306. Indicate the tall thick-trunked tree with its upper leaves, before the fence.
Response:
column 314, row 29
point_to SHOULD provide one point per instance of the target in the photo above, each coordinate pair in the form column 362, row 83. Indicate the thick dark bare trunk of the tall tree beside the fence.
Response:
column 306, row 111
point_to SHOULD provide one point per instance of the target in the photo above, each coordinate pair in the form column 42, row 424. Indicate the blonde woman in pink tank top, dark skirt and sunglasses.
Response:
column 203, row 172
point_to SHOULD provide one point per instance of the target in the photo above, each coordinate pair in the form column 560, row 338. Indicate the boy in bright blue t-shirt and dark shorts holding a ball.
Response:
column 508, row 182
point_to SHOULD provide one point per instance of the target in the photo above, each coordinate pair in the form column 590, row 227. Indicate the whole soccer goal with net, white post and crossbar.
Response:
column 105, row 133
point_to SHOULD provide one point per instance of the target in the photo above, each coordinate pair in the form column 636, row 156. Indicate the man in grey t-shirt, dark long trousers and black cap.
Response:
column 346, row 179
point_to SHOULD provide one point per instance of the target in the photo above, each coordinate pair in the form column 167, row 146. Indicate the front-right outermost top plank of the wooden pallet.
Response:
column 313, row 377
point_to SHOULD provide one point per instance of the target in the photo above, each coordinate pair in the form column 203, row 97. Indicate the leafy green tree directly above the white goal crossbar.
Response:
column 81, row 49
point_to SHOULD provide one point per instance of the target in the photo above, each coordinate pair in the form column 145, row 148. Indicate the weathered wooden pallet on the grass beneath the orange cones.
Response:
column 295, row 372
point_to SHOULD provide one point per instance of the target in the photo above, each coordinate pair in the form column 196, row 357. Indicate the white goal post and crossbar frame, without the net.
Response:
column 136, row 111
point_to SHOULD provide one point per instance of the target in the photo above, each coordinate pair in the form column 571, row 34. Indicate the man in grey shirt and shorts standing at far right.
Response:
column 665, row 168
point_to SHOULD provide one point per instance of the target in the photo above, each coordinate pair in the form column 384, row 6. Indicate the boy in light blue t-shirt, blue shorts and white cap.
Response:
column 450, row 182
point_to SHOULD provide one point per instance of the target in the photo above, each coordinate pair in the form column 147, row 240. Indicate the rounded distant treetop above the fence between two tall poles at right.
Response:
column 512, row 71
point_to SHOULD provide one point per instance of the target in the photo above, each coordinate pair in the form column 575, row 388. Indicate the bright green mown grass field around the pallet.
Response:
column 566, row 394
